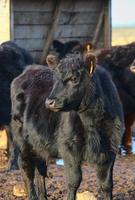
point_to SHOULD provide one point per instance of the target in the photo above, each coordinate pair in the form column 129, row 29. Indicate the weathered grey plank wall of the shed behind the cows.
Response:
column 31, row 20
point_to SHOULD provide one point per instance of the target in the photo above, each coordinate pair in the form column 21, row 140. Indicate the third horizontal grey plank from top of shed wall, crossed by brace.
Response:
column 40, row 31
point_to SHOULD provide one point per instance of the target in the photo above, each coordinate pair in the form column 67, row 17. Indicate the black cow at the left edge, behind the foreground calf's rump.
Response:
column 13, row 60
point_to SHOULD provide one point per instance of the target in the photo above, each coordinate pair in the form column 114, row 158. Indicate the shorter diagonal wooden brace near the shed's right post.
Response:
column 98, row 28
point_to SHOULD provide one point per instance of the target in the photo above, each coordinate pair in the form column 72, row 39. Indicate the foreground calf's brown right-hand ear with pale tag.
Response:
column 90, row 60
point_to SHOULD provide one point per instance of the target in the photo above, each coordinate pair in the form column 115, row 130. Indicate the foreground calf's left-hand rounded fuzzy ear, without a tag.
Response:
column 52, row 61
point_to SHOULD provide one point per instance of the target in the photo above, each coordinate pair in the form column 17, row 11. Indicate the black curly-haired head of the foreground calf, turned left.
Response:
column 72, row 77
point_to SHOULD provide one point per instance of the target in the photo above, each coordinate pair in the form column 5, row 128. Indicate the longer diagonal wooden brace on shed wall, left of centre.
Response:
column 51, row 31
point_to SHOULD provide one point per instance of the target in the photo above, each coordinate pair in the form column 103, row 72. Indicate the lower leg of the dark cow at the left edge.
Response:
column 12, row 150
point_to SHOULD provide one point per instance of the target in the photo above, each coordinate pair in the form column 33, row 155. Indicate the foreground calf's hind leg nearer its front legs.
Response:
column 40, row 174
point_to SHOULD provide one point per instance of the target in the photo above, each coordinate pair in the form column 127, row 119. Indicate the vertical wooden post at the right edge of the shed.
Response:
column 107, row 24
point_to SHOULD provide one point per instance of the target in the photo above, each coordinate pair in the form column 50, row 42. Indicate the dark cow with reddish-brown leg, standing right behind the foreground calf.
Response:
column 117, row 61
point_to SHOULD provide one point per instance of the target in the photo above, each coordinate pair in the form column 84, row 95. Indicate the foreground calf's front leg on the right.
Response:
column 105, row 177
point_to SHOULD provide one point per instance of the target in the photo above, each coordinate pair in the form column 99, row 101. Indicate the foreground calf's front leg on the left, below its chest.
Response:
column 73, row 173
